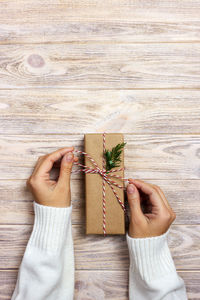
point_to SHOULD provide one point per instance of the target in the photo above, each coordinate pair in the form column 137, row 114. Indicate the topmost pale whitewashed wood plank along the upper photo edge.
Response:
column 114, row 21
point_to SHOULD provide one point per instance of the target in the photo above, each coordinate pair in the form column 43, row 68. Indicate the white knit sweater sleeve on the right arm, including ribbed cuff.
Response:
column 152, row 273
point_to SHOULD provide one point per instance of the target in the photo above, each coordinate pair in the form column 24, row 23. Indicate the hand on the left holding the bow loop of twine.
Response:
column 50, row 192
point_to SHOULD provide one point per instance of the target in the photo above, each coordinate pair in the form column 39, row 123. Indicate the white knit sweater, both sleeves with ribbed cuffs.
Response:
column 47, row 268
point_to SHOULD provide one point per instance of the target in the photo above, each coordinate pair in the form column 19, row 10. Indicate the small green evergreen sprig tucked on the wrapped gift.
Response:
column 113, row 157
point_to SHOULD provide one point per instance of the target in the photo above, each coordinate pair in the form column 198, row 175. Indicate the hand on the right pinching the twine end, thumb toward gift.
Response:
column 155, row 217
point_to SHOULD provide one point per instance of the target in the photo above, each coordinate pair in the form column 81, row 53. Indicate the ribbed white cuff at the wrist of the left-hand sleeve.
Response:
column 50, row 227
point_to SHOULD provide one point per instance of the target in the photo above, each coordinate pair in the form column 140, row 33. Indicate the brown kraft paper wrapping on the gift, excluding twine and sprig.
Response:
column 115, row 218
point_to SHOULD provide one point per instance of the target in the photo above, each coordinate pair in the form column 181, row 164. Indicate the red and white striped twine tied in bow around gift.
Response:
column 105, row 176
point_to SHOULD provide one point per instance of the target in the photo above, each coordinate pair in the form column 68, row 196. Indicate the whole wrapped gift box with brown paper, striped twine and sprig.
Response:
column 104, row 185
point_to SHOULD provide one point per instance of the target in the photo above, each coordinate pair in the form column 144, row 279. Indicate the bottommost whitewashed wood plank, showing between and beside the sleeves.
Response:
column 100, row 284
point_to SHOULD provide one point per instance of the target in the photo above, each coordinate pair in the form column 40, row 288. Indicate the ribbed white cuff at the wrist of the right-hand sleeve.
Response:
column 150, row 257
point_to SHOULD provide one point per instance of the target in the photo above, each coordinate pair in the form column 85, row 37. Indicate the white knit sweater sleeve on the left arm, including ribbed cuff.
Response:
column 47, row 267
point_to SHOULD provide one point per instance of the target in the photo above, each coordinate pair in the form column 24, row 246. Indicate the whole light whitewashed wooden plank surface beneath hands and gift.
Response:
column 72, row 67
